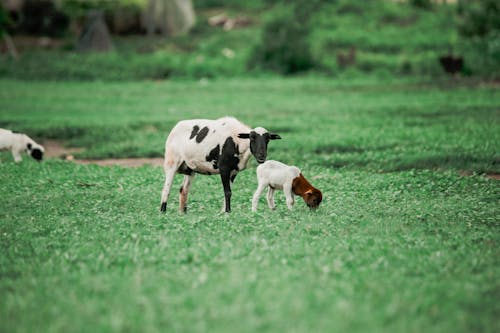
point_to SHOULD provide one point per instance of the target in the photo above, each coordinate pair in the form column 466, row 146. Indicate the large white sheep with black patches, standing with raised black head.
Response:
column 208, row 147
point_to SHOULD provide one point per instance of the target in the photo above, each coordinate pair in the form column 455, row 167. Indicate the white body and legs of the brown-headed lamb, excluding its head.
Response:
column 276, row 176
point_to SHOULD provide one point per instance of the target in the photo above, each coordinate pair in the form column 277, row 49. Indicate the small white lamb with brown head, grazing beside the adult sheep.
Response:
column 279, row 176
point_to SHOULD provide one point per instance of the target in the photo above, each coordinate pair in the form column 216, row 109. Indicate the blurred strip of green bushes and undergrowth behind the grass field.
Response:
column 228, row 38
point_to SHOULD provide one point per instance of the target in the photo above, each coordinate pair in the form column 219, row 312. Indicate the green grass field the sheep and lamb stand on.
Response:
column 403, row 241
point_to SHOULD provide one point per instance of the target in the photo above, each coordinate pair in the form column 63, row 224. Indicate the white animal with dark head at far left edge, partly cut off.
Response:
column 17, row 143
